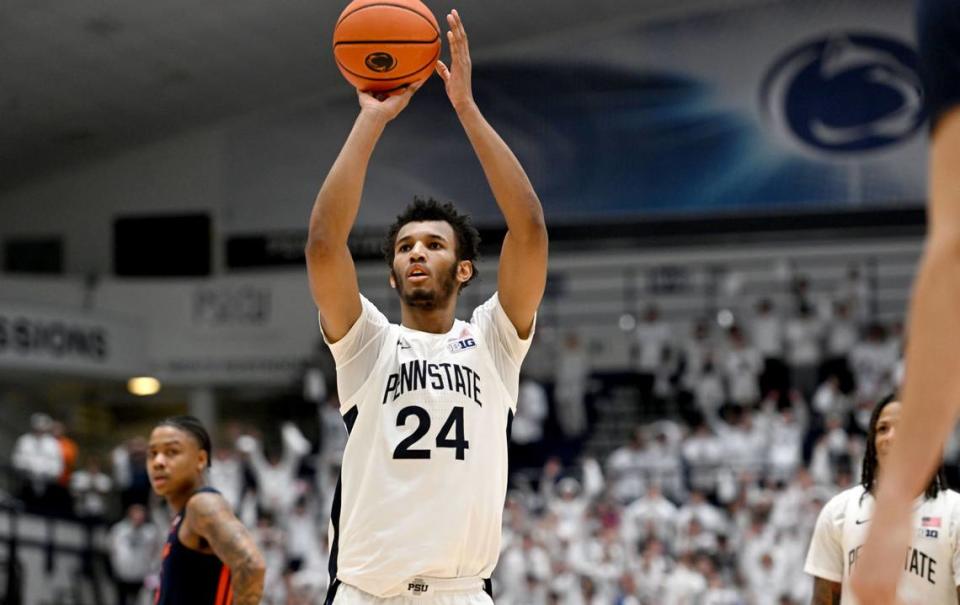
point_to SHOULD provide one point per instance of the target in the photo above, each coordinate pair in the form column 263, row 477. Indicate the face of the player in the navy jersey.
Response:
column 174, row 460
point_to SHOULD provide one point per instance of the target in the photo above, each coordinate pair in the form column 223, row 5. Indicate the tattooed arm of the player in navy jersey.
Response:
column 210, row 516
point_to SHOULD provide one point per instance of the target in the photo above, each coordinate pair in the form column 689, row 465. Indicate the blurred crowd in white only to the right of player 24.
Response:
column 714, row 501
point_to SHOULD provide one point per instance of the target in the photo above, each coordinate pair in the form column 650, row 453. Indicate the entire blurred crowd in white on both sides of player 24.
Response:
column 712, row 503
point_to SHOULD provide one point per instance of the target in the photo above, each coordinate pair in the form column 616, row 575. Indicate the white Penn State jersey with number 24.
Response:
column 424, row 472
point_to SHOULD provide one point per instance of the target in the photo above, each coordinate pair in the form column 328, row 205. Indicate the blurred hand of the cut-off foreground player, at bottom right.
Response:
column 880, row 564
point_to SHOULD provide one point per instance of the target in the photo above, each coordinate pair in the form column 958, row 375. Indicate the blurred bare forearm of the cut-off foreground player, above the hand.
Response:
column 932, row 385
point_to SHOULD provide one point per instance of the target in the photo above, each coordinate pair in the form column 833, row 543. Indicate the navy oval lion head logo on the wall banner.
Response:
column 845, row 93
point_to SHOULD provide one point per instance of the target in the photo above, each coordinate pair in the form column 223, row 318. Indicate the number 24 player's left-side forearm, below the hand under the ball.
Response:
column 338, row 201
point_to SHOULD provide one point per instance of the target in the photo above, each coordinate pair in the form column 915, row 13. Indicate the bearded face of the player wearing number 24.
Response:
column 425, row 268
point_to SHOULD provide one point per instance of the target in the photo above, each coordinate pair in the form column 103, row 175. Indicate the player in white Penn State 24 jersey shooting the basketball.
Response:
column 427, row 403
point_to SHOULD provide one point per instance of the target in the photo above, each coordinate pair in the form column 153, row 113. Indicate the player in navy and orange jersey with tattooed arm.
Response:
column 209, row 558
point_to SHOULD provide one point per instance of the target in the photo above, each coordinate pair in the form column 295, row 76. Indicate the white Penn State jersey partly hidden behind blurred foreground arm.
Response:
column 931, row 567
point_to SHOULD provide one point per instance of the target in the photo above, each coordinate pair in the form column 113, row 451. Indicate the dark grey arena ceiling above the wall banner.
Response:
column 85, row 78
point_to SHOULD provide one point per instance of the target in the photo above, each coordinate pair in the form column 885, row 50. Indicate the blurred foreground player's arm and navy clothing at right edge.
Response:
column 931, row 393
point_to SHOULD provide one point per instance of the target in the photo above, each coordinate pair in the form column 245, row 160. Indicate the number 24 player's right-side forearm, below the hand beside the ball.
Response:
column 511, row 188
